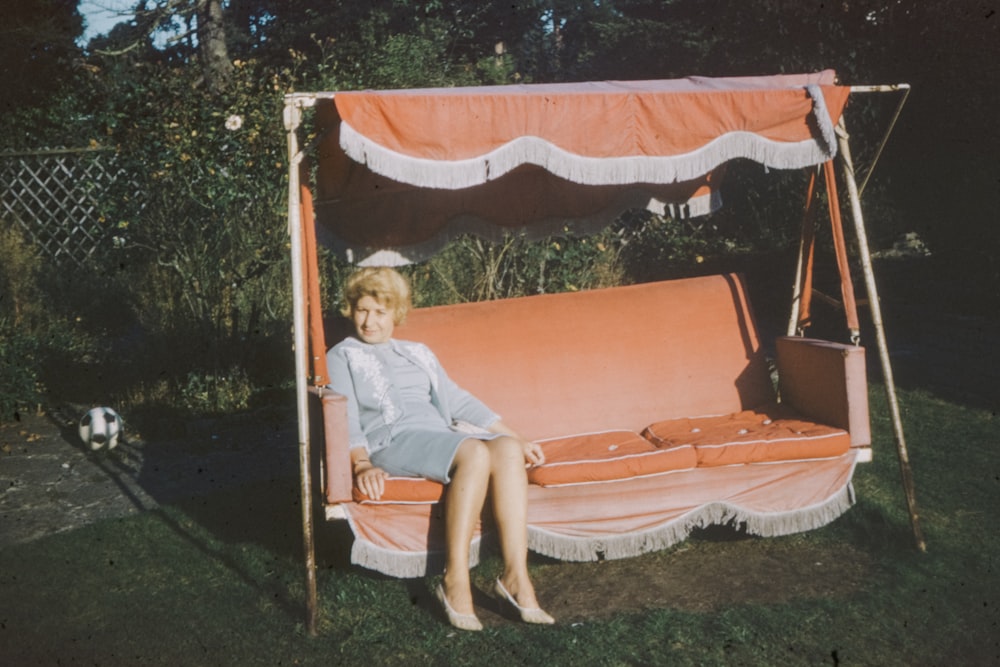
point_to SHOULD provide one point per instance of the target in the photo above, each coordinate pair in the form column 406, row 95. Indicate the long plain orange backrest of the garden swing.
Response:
column 617, row 358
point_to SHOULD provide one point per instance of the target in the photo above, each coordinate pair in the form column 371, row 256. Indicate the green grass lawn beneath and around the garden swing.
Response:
column 218, row 581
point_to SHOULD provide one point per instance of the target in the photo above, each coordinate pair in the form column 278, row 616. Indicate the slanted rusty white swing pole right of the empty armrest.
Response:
column 876, row 312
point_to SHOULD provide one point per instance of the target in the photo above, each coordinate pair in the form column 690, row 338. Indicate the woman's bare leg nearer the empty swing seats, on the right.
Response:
column 509, row 483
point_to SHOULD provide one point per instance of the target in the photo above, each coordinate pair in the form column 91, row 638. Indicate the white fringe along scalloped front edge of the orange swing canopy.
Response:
column 457, row 174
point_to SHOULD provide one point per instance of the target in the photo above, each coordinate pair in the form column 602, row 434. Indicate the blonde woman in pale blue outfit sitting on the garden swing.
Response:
column 402, row 411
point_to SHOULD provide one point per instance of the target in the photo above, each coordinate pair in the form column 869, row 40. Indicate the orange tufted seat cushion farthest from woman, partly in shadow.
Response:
column 751, row 436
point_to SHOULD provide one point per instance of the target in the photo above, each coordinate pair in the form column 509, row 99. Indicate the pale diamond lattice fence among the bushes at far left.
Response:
column 59, row 199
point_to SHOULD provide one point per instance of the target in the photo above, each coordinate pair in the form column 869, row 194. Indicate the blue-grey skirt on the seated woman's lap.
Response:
column 427, row 453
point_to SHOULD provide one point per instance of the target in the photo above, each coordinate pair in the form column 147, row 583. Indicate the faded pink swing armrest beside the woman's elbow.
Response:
column 328, row 412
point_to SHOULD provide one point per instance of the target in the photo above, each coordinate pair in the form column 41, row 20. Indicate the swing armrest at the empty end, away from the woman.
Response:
column 827, row 383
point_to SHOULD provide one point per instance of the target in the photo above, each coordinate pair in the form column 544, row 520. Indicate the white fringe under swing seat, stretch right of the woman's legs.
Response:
column 673, row 532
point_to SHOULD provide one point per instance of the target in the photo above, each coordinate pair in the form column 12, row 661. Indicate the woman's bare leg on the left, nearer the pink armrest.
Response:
column 464, row 503
